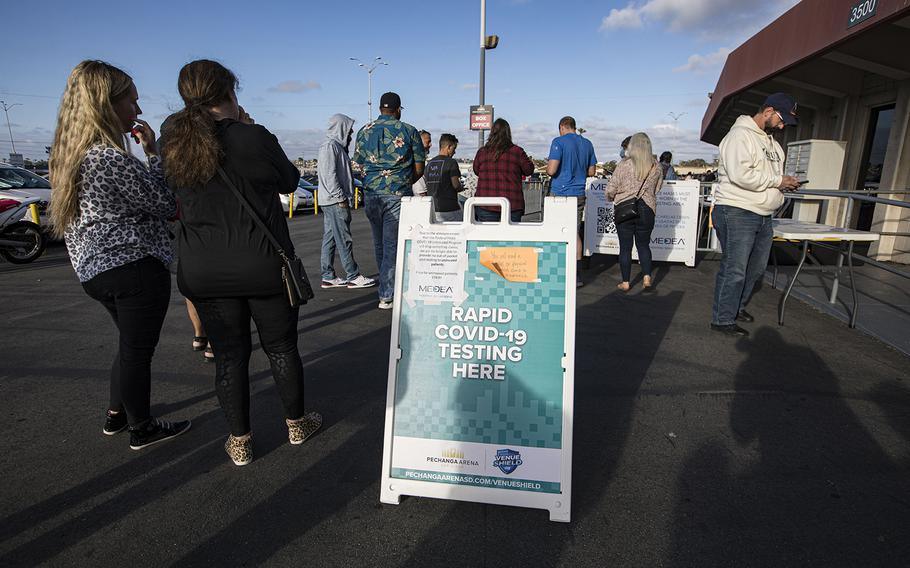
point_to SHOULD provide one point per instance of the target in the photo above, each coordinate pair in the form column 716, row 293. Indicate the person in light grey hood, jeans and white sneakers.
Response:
column 336, row 190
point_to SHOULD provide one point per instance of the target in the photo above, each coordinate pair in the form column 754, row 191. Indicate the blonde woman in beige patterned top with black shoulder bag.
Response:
column 636, row 177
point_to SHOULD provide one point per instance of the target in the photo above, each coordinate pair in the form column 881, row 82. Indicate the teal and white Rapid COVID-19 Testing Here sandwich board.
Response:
column 482, row 357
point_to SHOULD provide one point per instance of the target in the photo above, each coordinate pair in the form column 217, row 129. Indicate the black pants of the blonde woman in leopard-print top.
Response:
column 136, row 295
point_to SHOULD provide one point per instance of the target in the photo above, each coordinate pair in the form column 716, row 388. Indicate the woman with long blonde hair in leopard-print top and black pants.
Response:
column 112, row 210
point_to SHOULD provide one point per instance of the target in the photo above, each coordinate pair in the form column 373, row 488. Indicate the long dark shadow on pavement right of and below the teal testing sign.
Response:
column 623, row 331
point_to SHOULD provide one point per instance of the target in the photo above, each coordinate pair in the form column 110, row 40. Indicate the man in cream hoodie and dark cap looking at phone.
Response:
column 750, row 186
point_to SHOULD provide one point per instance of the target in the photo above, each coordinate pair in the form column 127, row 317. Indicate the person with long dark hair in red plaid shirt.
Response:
column 500, row 165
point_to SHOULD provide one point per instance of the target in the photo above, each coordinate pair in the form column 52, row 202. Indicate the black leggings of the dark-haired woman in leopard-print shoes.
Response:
column 227, row 322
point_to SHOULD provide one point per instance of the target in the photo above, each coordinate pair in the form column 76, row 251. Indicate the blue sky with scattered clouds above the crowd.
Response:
column 618, row 67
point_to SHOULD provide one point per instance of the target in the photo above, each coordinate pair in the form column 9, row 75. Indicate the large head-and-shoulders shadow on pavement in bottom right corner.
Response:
column 805, row 483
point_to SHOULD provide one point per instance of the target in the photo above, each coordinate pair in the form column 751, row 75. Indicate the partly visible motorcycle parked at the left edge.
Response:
column 21, row 241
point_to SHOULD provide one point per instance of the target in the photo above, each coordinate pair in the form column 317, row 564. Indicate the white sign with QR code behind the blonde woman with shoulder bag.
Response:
column 674, row 238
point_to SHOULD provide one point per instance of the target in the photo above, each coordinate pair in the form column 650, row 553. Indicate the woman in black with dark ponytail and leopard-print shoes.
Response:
column 228, row 266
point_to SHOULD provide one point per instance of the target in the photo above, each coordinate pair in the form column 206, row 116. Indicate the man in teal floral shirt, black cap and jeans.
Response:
column 392, row 156
